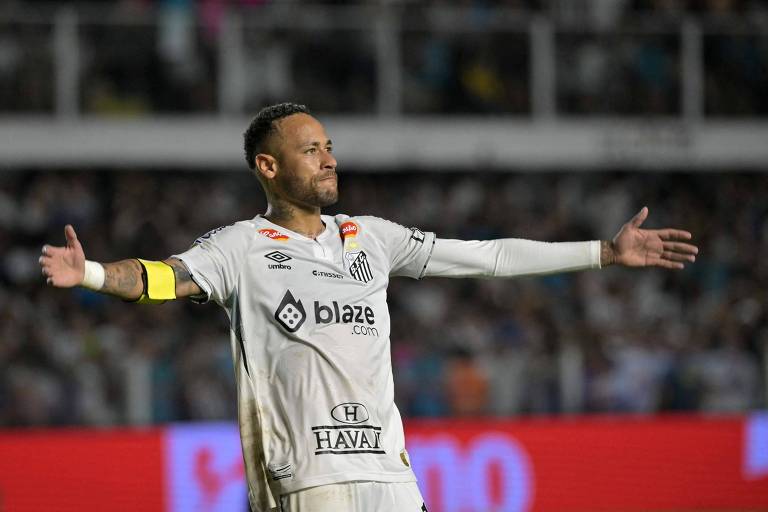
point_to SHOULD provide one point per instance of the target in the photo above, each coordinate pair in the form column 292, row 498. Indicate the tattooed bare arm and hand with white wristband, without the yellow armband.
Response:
column 65, row 267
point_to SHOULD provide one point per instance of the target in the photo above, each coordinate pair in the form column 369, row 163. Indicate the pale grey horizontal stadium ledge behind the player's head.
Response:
column 370, row 144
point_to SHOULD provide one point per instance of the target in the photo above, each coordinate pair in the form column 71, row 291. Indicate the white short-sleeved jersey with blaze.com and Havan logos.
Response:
column 310, row 329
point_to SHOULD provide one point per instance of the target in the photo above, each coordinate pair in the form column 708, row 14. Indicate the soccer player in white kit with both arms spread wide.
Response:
column 306, row 297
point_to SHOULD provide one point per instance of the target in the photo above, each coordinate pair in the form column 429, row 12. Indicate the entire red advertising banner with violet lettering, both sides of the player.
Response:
column 600, row 463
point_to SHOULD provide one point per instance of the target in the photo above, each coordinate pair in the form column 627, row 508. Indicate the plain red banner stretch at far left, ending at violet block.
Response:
column 81, row 470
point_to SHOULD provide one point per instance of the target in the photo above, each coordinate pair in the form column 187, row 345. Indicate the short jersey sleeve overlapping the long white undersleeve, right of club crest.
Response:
column 408, row 249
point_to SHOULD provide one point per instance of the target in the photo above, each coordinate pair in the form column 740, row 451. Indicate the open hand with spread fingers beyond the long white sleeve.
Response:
column 637, row 247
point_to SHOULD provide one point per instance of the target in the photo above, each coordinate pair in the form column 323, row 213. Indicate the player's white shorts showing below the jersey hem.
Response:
column 355, row 497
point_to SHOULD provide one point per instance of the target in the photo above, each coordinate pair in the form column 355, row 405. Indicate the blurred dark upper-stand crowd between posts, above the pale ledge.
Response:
column 611, row 57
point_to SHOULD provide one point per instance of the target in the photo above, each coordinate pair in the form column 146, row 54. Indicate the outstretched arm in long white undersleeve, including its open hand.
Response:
column 632, row 246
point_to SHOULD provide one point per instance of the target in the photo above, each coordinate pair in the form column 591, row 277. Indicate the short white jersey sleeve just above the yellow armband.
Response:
column 214, row 260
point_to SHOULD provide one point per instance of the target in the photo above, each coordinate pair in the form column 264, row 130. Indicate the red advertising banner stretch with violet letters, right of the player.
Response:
column 674, row 463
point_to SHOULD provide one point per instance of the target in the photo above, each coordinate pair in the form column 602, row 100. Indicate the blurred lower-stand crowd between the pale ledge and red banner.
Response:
column 615, row 340
